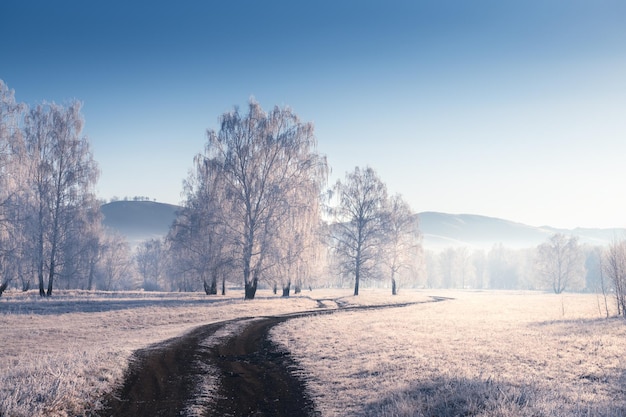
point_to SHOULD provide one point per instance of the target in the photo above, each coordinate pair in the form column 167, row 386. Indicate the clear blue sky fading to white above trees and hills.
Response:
column 508, row 109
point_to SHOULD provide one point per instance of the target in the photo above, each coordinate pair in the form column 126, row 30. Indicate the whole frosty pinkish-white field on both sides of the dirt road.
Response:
column 475, row 353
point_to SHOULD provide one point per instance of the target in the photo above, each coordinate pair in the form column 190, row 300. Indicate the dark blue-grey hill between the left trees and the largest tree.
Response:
column 139, row 220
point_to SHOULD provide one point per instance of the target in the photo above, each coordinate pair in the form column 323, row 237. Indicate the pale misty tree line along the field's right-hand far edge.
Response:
column 559, row 264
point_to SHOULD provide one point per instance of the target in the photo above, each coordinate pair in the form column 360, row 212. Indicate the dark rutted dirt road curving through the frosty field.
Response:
column 252, row 375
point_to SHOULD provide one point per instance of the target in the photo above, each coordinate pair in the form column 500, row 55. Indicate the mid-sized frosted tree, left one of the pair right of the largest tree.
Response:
column 359, row 222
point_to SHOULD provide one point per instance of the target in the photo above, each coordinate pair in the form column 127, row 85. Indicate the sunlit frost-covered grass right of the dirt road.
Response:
column 480, row 354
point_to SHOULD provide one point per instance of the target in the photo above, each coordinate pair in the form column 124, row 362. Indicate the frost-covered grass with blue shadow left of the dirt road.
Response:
column 58, row 356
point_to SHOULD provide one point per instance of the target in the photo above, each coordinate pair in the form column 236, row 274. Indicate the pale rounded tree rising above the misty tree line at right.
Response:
column 560, row 262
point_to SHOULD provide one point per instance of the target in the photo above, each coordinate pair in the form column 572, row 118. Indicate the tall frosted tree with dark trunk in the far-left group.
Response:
column 62, row 176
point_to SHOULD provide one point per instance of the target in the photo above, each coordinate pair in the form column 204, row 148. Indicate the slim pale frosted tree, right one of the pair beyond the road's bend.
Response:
column 401, row 238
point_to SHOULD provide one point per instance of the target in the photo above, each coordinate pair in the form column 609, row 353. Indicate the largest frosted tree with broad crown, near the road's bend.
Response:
column 262, row 157
